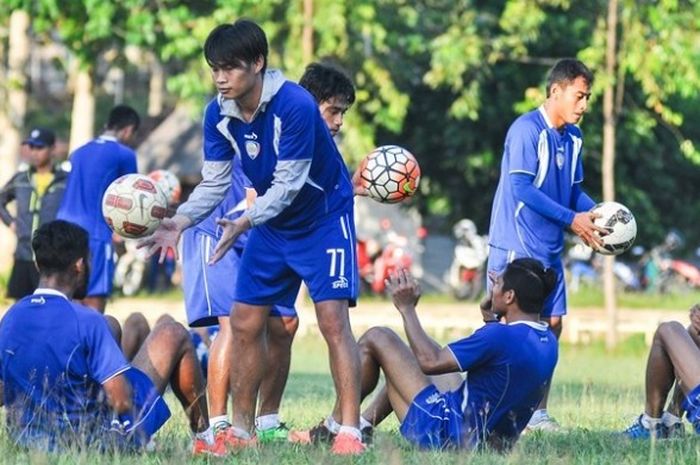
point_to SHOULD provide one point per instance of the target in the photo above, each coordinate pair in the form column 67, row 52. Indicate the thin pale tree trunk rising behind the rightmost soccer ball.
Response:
column 608, row 171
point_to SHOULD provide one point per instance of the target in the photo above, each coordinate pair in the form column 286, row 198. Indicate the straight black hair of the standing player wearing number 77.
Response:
column 237, row 44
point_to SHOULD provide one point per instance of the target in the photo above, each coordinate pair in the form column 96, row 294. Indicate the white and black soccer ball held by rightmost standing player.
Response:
column 621, row 226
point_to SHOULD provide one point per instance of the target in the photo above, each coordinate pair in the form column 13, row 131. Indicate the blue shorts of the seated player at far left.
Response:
column 150, row 413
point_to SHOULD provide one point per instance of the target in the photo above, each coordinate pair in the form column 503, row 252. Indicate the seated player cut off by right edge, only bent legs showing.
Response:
column 674, row 357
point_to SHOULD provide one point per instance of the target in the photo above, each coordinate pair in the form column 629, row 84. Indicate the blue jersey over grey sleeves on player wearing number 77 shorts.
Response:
column 286, row 131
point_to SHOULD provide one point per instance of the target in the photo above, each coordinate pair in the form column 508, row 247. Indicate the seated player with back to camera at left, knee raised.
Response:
column 64, row 380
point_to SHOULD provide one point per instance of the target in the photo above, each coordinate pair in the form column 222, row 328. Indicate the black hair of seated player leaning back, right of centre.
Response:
column 531, row 281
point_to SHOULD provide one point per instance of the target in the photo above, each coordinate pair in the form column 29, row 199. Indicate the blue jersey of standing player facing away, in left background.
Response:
column 94, row 166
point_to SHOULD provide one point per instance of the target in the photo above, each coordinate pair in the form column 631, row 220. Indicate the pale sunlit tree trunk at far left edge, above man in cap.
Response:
column 12, row 114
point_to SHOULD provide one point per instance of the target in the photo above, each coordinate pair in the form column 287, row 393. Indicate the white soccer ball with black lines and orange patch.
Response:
column 390, row 174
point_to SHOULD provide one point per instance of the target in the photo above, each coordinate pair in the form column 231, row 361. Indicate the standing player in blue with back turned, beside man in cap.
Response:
column 94, row 166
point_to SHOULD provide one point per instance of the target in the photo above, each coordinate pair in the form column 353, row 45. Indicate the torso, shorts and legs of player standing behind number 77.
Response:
column 209, row 296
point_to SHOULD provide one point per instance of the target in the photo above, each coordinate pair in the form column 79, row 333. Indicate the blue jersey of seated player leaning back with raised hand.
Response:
column 508, row 368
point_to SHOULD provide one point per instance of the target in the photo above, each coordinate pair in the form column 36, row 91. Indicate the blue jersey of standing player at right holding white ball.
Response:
column 534, row 147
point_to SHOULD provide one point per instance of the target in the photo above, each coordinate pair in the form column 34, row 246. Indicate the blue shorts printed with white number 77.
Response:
column 275, row 262
